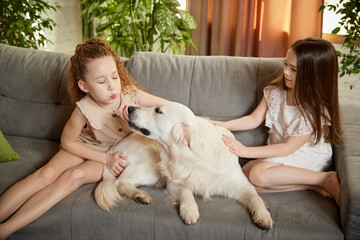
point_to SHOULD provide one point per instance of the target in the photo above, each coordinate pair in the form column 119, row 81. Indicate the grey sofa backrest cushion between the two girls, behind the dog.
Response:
column 217, row 87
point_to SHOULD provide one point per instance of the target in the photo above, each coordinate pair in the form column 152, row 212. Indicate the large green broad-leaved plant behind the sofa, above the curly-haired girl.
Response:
column 139, row 25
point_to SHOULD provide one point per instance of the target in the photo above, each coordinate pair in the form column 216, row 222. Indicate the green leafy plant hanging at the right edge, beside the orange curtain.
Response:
column 350, row 9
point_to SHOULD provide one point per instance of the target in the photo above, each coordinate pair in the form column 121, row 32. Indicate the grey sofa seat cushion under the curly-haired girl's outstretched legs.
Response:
column 34, row 154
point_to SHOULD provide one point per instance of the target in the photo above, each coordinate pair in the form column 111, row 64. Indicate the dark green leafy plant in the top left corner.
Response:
column 22, row 22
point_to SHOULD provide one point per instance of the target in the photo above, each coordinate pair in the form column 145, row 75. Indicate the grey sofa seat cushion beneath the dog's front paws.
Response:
column 297, row 215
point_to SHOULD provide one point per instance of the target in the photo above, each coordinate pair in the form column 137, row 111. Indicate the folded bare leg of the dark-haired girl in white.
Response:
column 267, row 176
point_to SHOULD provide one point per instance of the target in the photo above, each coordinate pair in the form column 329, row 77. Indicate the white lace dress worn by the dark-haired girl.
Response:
column 285, row 121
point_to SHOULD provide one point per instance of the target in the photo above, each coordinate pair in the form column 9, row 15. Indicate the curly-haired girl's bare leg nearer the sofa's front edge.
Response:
column 42, row 201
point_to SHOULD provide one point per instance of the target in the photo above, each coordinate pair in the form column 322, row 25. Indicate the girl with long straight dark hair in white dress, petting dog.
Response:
column 301, row 109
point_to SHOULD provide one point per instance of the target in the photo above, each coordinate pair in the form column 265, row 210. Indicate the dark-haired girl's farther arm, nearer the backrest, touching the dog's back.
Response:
column 246, row 122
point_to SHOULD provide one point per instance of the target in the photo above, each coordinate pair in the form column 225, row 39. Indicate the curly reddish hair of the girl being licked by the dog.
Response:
column 95, row 48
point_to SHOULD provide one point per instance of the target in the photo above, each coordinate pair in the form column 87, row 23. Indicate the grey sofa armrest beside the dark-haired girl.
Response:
column 347, row 164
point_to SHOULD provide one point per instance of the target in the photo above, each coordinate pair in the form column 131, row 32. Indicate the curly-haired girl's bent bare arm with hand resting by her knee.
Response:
column 70, row 144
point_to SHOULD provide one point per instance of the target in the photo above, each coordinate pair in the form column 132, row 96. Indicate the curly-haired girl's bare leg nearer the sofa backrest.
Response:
column 15, row 196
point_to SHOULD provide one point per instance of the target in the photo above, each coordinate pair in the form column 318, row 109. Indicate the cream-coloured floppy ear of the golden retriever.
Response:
column 188, row 135
